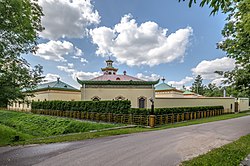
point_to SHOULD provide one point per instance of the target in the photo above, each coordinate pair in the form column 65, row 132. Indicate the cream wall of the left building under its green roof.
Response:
column 46, row 95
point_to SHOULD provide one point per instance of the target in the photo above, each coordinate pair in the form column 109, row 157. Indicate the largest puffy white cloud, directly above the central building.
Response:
column 145, row 44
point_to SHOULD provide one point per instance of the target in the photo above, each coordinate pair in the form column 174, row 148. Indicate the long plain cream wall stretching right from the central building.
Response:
column 227, row 102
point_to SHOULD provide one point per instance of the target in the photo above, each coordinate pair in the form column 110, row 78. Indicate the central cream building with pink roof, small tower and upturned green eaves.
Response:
column 113, row 86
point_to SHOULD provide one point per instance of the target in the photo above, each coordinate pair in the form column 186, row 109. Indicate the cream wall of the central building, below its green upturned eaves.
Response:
column 111, row 93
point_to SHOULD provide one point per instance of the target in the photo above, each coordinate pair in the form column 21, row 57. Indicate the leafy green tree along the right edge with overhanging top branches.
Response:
column 236, row 41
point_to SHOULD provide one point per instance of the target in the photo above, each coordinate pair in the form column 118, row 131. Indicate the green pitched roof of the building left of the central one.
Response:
column 55, row 85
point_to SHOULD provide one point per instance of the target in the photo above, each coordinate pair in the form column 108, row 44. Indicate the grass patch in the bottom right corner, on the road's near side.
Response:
column 229, row 155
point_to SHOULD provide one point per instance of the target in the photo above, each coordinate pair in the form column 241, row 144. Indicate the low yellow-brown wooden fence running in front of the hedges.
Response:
column 130, row 118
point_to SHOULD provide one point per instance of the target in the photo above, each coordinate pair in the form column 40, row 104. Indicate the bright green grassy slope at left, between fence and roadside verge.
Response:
column 19, row 126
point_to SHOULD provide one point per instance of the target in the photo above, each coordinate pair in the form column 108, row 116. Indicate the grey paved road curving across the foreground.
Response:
column 164, row 147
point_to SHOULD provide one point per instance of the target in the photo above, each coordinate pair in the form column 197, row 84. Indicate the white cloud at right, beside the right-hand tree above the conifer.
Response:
column 207, row 68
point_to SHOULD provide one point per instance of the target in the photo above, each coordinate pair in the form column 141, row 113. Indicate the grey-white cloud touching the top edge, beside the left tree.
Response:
column 67, row 18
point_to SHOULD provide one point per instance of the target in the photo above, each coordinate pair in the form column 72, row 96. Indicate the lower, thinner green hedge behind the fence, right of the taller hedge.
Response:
column 162, row 111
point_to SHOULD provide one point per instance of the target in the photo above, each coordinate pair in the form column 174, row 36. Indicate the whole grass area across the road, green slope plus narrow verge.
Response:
column 47, row 129
